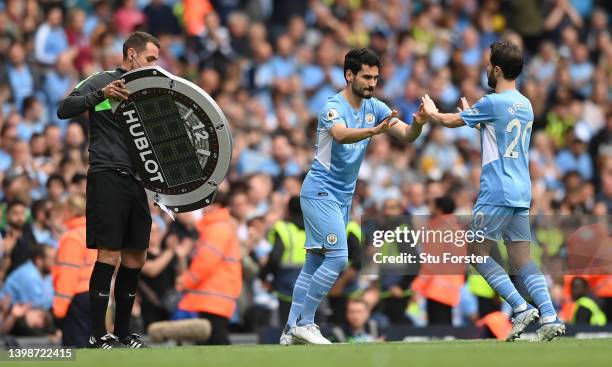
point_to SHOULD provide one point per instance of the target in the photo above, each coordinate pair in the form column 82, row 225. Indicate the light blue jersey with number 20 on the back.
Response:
column 506, row 121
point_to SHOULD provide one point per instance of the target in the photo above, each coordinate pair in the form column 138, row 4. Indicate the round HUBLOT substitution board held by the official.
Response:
column 179, row 139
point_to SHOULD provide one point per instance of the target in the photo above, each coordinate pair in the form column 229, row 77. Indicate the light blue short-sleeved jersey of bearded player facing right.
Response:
column 334, row 170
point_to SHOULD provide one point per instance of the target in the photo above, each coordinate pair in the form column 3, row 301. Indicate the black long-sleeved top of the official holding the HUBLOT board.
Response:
column 107, row 149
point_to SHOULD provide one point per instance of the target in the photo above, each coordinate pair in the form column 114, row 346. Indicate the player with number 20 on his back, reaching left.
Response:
column 505, row 120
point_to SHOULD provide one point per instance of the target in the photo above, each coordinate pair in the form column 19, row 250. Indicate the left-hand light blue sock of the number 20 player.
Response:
column 499, row 280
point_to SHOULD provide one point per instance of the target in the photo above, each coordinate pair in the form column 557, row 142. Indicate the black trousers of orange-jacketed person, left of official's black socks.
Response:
column 76, row 326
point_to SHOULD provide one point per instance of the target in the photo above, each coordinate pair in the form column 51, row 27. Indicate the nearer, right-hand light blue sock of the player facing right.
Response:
column 322, row 281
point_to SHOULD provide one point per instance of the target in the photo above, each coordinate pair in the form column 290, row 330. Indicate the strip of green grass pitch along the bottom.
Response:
column 563, row 352
